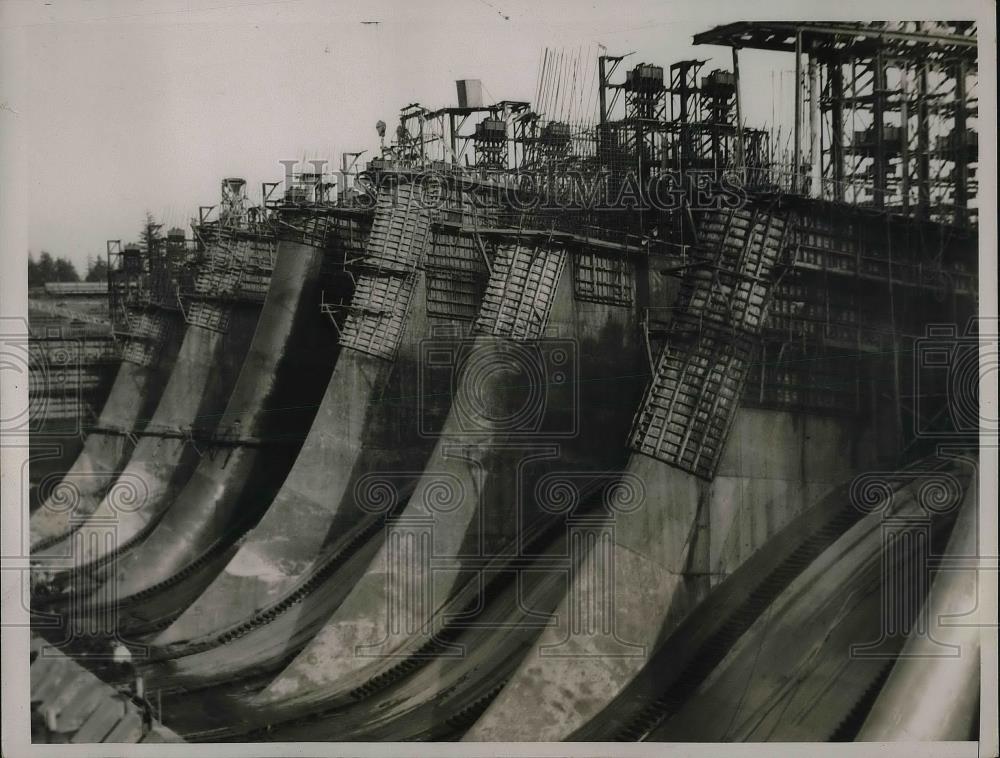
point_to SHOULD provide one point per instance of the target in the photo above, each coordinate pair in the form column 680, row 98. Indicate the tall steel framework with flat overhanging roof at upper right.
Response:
column 885, row 114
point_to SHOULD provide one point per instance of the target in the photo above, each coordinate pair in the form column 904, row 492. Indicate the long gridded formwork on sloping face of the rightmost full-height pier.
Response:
column 698, row 382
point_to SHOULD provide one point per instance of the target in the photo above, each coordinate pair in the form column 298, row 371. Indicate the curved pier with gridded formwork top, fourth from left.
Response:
column 353, row 436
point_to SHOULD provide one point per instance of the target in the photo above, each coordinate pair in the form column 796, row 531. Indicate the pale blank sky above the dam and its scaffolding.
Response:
column 135, row 106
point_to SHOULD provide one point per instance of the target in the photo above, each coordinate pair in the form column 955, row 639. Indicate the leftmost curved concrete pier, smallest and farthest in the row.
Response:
column 137, row 388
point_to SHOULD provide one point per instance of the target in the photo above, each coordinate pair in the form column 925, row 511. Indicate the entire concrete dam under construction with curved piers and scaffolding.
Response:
column 532, row 430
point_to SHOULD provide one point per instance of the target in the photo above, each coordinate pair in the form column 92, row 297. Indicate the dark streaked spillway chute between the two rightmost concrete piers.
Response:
column 807, row 625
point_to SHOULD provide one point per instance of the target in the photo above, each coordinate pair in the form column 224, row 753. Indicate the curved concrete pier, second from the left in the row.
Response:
column 208, row 362
